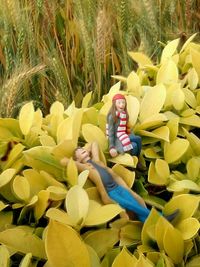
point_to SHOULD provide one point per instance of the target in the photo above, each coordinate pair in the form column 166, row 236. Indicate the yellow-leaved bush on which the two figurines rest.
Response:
column 53, row 216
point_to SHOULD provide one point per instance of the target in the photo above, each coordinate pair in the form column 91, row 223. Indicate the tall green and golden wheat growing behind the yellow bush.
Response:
column 81, row 43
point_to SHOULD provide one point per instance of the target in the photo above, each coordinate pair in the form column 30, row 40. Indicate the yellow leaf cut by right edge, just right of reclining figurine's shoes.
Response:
column 188, row 228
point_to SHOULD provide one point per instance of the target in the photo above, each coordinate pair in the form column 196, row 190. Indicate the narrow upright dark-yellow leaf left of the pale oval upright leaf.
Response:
column 42, row 204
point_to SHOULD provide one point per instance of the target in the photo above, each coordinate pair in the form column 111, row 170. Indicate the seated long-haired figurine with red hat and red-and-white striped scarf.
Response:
column 120, row 138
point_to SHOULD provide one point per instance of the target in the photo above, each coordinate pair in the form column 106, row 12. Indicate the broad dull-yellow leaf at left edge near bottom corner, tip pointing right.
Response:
column 24, row 241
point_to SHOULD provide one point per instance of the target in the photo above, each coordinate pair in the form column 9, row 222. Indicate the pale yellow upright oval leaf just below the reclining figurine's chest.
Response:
column 77, row 204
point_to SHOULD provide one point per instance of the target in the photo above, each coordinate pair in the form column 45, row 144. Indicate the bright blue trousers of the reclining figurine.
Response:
column 127, row 201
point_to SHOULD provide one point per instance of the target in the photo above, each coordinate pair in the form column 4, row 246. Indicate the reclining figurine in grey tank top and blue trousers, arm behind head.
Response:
column 110, row 186
